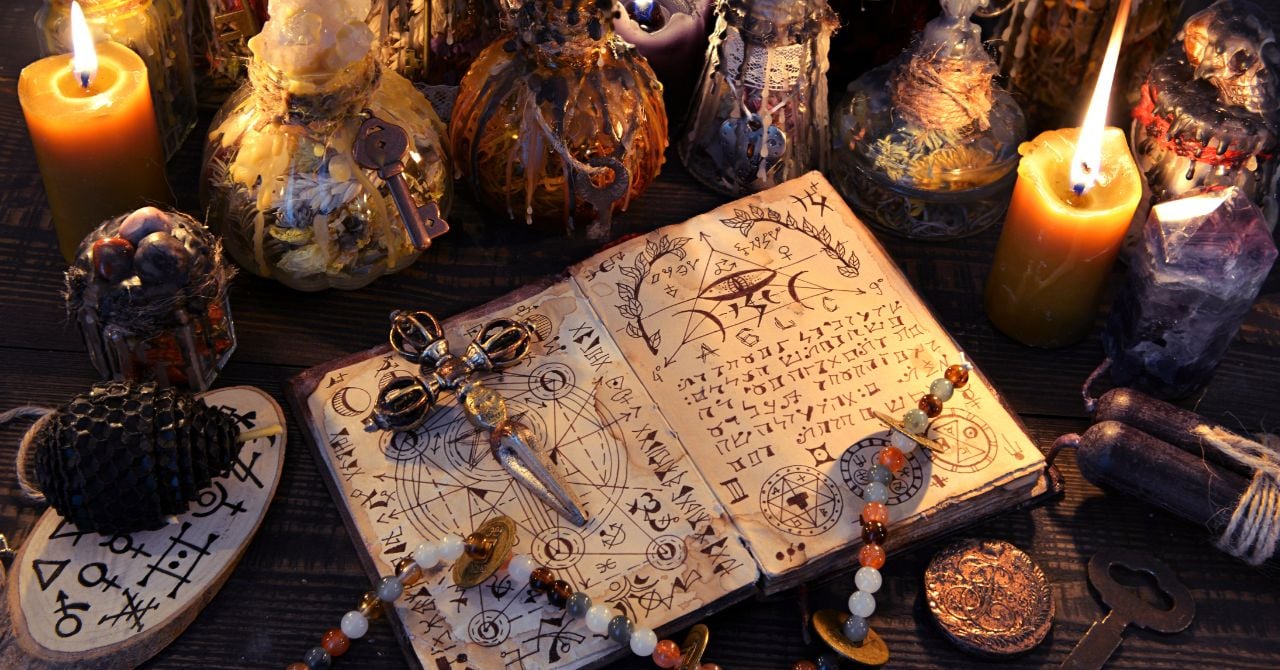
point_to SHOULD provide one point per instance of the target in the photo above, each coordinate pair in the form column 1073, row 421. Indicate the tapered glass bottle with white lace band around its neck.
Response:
column 760, row 117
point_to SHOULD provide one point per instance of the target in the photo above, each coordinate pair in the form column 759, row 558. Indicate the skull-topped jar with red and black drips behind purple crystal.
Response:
column 1209, row 115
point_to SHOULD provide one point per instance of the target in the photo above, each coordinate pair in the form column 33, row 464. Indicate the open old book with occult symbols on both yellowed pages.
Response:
column 707, row 391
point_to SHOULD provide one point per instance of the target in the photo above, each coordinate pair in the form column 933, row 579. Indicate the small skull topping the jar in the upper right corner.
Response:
column 1233, row 47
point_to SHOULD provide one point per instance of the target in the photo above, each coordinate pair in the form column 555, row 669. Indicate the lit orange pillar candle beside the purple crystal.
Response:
column 1058, row 248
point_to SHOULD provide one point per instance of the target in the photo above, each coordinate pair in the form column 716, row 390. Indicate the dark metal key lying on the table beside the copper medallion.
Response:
column 1128, row 608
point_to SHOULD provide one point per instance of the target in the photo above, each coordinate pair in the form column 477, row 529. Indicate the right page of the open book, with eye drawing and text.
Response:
column 770, row 330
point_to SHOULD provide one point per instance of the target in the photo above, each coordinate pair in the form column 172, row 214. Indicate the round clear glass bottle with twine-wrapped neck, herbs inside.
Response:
column 926, row 147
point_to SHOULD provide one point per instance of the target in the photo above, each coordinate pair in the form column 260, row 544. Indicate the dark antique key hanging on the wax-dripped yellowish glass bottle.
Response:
column 381, row 147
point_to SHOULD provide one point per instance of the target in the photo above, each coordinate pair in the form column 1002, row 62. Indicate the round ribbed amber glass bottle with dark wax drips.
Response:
column 563, row 124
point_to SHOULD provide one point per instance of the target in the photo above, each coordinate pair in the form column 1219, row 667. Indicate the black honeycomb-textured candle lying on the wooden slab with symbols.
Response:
column 126, row 457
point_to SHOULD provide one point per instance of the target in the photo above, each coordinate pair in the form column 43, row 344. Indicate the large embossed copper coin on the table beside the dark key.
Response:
column 989, row 598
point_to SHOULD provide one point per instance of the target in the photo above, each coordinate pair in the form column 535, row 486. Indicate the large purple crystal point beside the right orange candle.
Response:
column 1203, row 265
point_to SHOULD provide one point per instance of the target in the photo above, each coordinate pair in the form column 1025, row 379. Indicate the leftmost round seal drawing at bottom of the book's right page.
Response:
column 802, row 502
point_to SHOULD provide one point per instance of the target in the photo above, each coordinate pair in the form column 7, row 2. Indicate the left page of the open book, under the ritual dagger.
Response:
column 659, row 546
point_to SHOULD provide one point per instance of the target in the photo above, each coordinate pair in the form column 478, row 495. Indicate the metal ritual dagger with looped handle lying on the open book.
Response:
column 404, row 404
